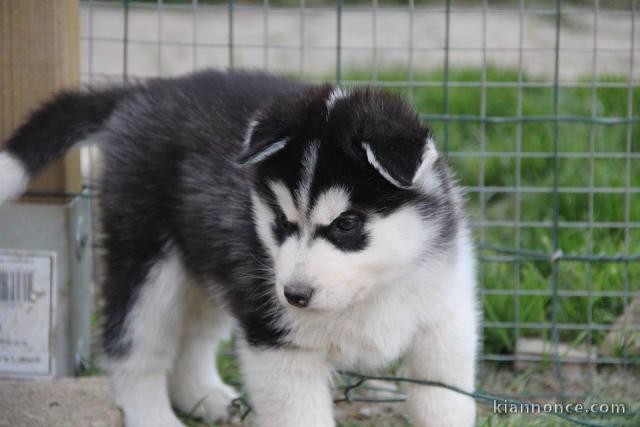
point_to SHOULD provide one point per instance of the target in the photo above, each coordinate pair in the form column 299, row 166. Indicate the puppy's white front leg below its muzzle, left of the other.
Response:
column 288, row 387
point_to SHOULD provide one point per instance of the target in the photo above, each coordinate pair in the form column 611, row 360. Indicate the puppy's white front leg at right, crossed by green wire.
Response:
column 444, row 352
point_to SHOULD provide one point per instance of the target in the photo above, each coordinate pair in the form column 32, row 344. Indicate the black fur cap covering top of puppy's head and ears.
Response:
column 385, row 121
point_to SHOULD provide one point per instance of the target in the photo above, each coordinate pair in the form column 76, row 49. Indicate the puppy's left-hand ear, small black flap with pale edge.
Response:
column 262, row 141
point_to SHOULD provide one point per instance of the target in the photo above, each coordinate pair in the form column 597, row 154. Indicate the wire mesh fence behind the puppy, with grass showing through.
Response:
column 535, row 103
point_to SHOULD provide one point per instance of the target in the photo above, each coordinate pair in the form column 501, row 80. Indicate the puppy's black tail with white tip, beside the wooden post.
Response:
column 50, row 132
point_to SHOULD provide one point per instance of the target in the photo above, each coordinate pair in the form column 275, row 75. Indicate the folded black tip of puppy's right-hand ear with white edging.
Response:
column 404, row 163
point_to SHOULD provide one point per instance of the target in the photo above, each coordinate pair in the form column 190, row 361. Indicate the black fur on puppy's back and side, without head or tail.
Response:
column 171, row 179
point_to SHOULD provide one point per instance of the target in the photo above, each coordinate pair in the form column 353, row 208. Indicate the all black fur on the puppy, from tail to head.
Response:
column 171, row 179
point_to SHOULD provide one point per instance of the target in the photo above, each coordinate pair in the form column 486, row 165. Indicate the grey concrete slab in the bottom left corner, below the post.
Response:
column 79, row 402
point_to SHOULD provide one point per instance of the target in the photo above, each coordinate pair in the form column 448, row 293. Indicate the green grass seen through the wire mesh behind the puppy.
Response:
column 576, row 137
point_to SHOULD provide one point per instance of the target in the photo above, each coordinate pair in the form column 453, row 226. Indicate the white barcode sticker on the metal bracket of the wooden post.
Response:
column 27, row 293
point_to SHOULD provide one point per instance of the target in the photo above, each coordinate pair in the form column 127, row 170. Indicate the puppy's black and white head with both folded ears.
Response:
column 349, row 194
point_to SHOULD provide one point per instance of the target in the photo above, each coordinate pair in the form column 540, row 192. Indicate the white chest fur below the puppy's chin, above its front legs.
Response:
column 381, row 328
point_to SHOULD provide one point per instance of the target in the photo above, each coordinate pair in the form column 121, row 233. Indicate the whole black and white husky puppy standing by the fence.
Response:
column 320, row 223
